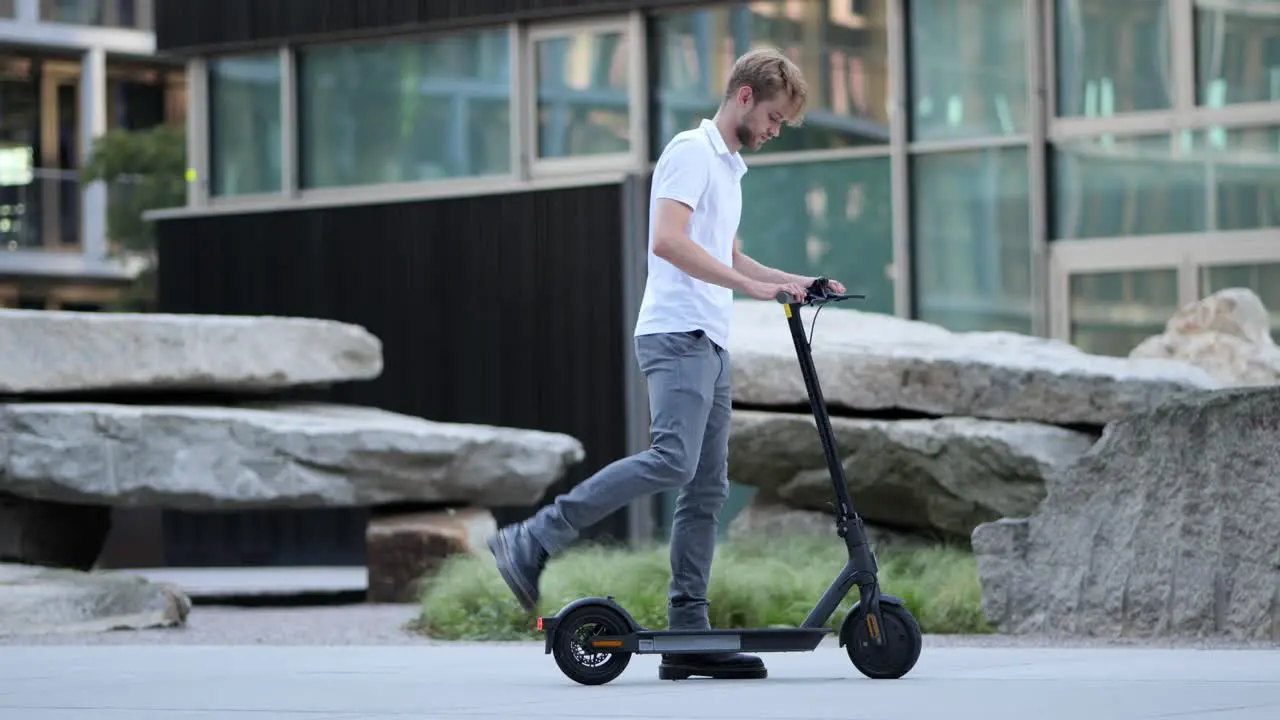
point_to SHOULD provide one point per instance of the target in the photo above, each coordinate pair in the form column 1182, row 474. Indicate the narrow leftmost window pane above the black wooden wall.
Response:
column 245, row 125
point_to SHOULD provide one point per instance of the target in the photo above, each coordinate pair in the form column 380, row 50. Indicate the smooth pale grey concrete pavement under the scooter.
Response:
column 126, row 682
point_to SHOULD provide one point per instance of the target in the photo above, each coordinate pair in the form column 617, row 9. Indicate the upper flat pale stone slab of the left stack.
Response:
column 62, row 352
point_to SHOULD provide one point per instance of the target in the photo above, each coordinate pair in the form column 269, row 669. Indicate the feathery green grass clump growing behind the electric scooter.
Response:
column 756, row 584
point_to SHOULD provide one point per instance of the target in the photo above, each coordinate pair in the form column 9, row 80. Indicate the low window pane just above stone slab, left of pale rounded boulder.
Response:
column 1113, row 313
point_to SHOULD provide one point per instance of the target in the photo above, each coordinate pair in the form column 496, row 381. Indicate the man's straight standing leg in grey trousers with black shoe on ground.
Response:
column 693, row 546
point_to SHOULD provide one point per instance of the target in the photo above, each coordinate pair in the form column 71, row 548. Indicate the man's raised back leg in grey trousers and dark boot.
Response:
column 682, row 371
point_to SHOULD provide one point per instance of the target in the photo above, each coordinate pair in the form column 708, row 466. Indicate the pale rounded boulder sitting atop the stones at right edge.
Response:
column 1227, row 334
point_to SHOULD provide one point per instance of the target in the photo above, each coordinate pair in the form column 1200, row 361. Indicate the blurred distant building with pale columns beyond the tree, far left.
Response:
column 70, row 72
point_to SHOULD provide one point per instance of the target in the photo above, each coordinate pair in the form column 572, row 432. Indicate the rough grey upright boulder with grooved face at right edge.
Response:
column 1165, row 528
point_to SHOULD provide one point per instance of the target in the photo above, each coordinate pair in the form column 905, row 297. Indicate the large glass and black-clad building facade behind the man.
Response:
column 469, row 180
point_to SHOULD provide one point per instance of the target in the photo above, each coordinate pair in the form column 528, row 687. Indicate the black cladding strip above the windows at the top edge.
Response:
column 195, row 26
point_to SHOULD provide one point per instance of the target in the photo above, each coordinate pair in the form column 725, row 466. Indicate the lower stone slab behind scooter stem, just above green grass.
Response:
column 941, row 476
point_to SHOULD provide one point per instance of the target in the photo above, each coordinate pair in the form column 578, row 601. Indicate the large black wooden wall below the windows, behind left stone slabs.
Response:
column 499, row 309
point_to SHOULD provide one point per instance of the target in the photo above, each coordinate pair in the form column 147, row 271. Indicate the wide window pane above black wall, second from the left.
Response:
column 405, row 111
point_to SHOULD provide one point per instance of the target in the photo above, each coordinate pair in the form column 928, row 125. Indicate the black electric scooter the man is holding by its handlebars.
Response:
column 595, row 639
